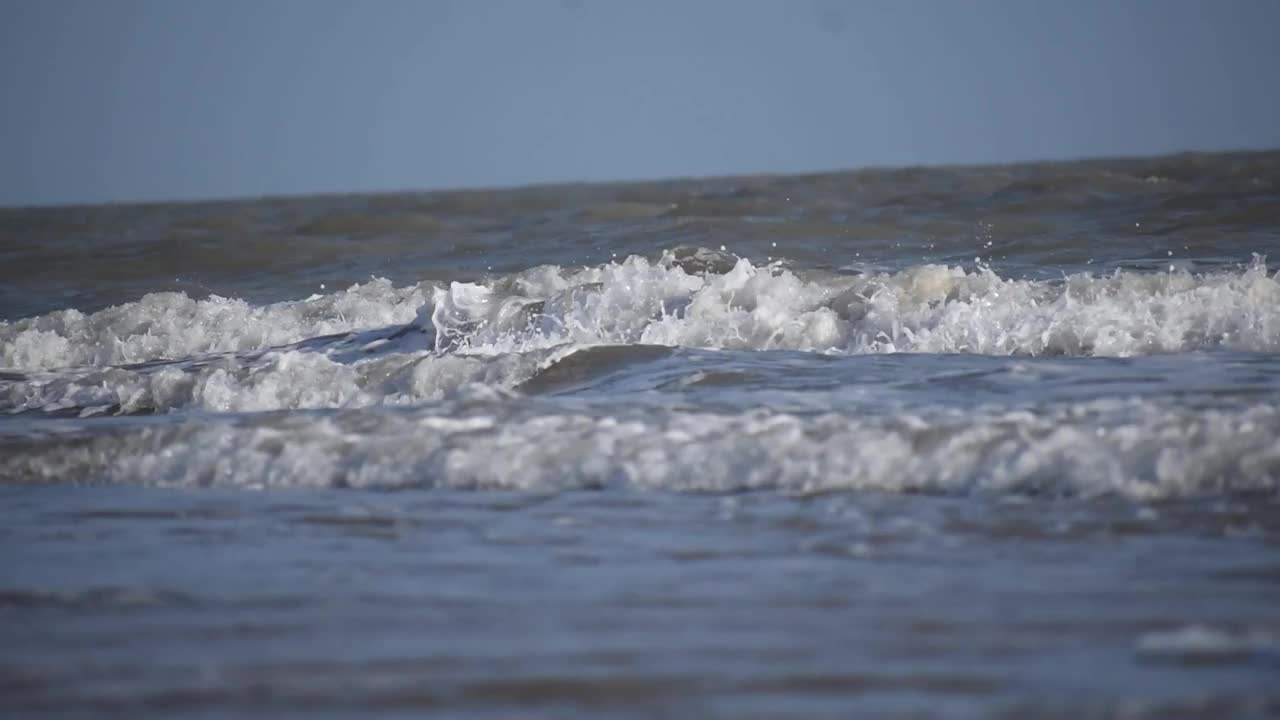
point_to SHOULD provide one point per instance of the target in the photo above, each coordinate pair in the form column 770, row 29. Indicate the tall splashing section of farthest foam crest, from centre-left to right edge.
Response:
column 925, row 309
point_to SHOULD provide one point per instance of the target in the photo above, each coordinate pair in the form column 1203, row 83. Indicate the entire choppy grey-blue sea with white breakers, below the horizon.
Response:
column 930, row 443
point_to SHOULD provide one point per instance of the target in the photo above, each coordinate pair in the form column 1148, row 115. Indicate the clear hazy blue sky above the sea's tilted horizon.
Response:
column 124, row 101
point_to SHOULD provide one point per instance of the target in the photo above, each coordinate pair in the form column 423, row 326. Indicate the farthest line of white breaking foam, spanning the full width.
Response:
column 925, row 309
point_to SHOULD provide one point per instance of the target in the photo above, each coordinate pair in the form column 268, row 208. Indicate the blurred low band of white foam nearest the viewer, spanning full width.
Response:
column 1140, row 449
